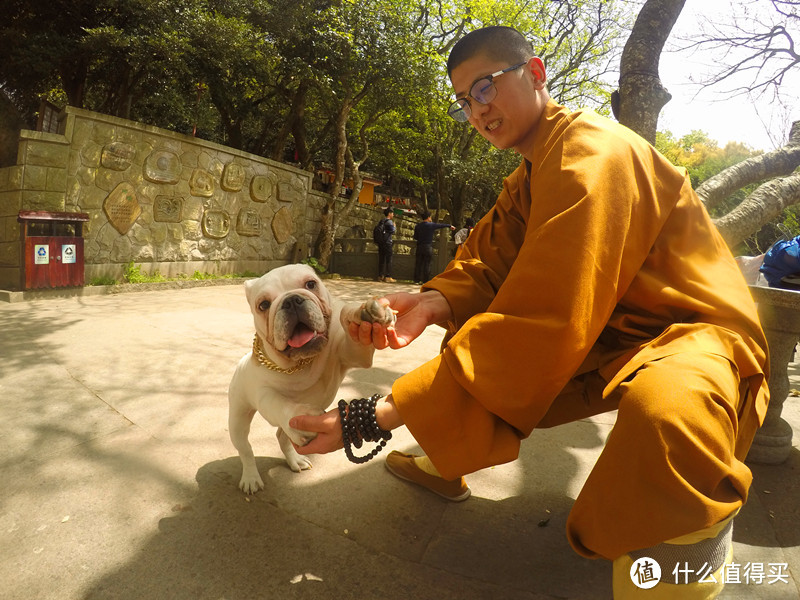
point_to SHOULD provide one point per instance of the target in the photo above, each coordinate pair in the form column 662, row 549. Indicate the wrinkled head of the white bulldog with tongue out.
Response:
column 291, row 310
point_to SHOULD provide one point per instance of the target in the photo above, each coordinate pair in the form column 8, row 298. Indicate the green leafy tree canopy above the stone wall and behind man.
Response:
column 355, row 86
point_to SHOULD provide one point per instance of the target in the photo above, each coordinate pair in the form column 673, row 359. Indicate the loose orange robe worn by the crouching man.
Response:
column 596, row 260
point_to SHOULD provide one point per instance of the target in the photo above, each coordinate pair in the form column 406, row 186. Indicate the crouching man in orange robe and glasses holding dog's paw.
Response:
column 597, row 282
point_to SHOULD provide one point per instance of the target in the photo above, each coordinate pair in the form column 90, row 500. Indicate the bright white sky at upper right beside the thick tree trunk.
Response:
column 722, row 116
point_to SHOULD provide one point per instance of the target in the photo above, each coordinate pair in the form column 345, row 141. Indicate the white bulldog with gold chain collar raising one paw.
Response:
column 300, row 355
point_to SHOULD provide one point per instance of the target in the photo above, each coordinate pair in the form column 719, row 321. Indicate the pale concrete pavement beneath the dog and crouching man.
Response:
column 119, row 479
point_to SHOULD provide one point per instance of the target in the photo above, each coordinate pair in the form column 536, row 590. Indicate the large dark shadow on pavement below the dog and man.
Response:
column 361, row 533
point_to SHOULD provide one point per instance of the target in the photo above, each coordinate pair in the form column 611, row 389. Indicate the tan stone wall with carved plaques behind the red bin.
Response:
column 165, row 201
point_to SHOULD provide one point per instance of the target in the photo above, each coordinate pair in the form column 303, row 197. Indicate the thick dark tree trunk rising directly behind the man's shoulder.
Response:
column 641, row 96
